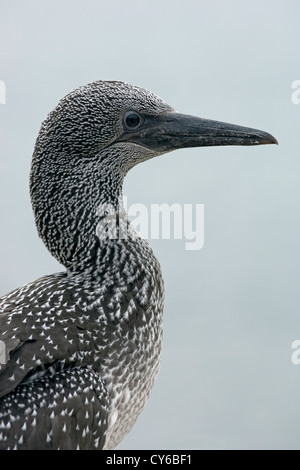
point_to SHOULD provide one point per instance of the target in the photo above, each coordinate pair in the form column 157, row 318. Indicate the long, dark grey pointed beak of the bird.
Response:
column 173, row 131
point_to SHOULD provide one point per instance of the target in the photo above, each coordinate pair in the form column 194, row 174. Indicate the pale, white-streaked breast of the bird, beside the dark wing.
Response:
column 131, row 364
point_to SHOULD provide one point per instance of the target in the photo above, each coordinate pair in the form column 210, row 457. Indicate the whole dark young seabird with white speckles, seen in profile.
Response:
column 83, row 346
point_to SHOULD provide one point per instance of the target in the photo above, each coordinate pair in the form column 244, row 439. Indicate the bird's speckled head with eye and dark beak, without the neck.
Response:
column 107, row 114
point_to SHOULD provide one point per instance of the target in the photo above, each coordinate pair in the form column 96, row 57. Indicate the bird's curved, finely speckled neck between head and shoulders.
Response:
column 79, row 212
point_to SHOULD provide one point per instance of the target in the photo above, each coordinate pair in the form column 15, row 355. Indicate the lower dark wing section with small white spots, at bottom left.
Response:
column 67, row 410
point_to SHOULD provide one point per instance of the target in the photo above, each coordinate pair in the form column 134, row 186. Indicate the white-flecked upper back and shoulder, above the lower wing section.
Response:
column 39, row 330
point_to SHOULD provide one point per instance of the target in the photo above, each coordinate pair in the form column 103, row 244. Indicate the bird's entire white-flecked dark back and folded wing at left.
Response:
column 46, row 382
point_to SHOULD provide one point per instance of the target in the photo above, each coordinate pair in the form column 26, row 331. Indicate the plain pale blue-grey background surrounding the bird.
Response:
column 232, row 309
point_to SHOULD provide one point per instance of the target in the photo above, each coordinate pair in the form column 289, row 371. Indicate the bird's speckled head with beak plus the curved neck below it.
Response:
column 86, row 146
